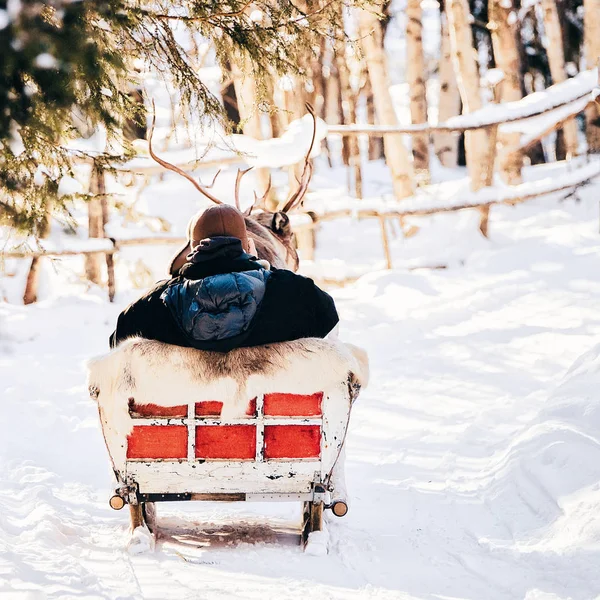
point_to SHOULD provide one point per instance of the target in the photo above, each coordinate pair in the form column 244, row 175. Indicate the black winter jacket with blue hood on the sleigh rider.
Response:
column 224, row 299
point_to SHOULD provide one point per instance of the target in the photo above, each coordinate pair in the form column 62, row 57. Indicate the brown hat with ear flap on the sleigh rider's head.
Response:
column 219, row 220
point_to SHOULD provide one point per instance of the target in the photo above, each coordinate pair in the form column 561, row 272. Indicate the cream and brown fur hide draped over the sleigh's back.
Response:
column 151, row 372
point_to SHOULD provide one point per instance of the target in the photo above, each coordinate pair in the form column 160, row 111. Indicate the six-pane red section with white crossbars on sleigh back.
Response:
column 277, row 427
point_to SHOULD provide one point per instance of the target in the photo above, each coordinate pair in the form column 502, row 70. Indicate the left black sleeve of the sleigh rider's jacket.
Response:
column 149, row 318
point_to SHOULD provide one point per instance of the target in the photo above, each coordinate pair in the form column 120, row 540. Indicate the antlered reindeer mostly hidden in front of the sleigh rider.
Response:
column 271, row 231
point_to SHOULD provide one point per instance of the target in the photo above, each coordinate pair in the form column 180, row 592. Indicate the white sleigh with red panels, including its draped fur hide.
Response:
column 264, row 423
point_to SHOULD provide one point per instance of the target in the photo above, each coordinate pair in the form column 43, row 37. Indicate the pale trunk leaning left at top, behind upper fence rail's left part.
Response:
column 396, row 154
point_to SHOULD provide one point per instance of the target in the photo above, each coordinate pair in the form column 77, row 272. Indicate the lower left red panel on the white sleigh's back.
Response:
column 156, row 441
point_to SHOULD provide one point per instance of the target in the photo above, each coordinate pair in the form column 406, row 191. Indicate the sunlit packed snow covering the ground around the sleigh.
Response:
column 470, row 477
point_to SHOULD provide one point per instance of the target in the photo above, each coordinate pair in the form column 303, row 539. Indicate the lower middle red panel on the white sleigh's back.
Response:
column 226, row 441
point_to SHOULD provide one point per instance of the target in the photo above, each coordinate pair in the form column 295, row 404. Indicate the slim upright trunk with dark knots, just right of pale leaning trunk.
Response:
column 415, row 74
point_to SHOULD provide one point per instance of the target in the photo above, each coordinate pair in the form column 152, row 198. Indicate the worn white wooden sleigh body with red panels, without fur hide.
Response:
column 287, row 446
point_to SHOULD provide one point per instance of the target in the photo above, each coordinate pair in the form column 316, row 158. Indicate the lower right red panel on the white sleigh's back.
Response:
column 292, row 441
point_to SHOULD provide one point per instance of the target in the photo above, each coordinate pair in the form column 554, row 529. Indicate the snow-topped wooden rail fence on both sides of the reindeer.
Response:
column 563, row 100
